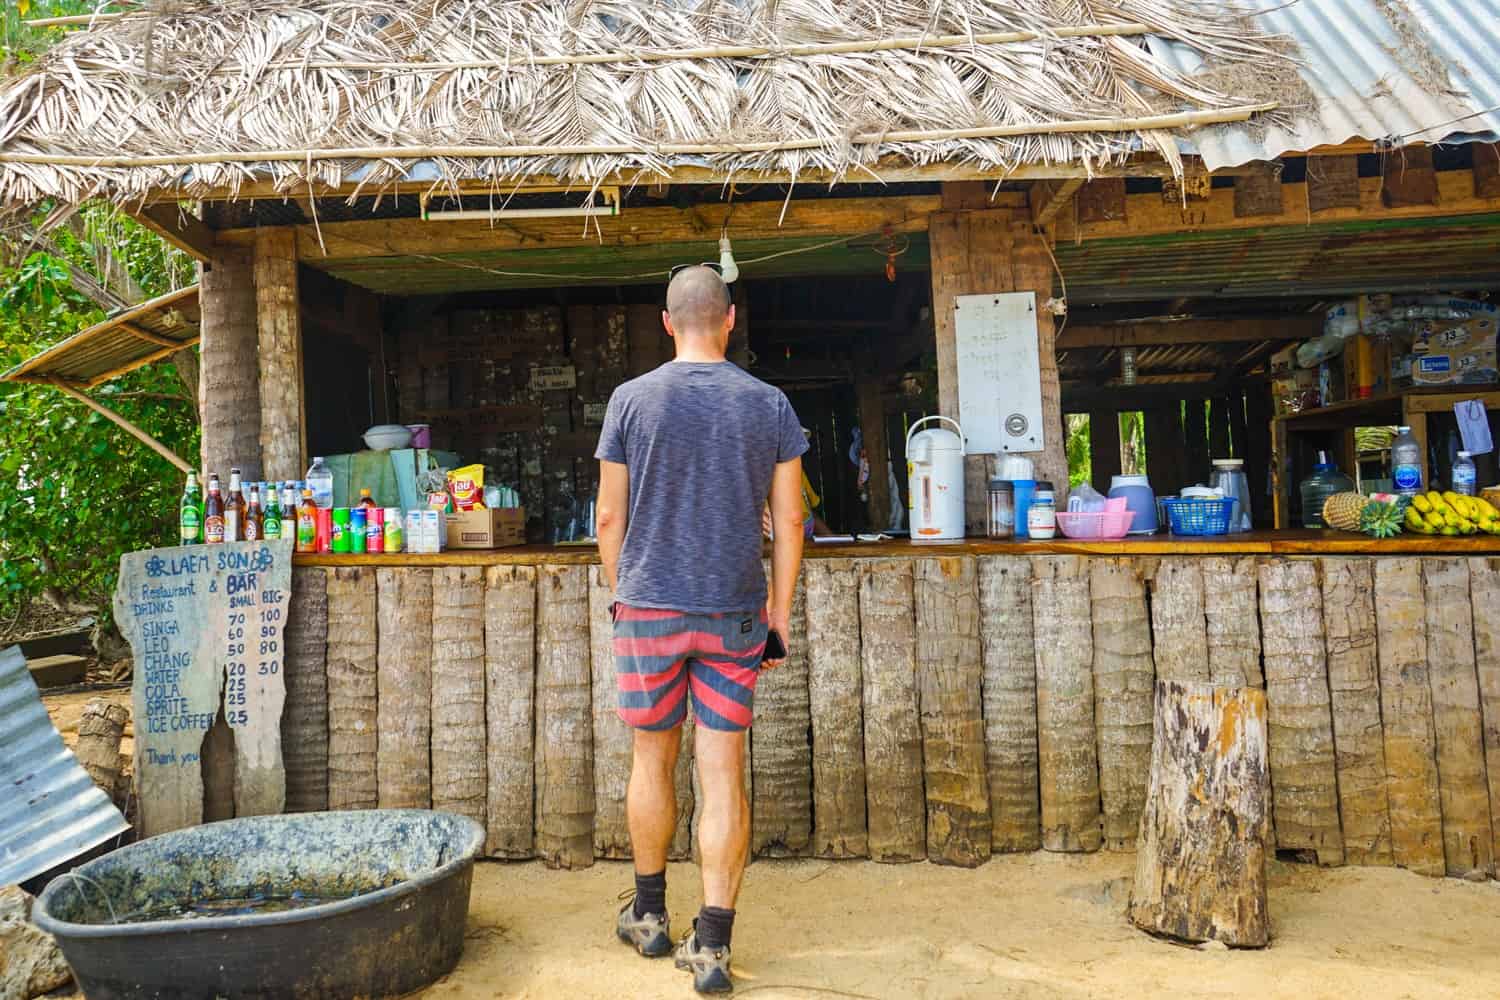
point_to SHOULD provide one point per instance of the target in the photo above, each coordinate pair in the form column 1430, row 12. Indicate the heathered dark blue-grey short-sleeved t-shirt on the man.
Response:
column 700, row 440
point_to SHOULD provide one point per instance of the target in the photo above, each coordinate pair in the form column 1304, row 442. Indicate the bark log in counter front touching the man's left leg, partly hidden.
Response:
column 611, row 735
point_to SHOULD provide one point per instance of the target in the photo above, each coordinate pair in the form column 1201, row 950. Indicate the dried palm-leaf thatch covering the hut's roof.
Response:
column 203, row 97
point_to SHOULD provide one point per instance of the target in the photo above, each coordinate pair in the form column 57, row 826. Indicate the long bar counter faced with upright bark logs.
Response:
column 941, row 702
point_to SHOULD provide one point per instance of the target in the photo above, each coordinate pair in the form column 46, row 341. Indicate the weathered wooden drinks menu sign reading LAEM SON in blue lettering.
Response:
column 206, row 627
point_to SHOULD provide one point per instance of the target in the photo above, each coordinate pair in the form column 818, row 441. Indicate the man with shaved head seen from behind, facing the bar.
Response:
column 688, row 457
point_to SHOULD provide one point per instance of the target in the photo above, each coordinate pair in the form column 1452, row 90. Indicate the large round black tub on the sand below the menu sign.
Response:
column 320, row 905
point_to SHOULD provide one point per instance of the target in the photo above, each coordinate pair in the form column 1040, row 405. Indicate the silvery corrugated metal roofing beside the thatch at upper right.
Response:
column 1411, row 71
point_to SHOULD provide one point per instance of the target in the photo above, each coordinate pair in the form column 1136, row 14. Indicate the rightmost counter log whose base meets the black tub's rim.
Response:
column 460, row 773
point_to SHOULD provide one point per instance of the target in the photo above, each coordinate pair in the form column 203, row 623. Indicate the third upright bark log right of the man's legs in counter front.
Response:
column 893, row 732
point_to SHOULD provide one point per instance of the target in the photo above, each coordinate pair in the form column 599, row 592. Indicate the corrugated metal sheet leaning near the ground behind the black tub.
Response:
column 50, row 809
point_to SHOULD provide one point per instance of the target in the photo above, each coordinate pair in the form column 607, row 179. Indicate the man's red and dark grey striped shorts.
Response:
column 664, row 656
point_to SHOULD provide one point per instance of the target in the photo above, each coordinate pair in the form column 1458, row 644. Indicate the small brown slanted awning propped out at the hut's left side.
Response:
column 118, row 346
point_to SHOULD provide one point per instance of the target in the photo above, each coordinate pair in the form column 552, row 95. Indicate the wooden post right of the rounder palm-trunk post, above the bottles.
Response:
column 280, row 350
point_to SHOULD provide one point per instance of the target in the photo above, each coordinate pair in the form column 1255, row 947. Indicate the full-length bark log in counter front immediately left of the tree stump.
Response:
column 1124, row 675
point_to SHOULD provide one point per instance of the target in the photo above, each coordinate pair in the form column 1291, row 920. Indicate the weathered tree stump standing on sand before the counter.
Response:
column 1201, row 866
